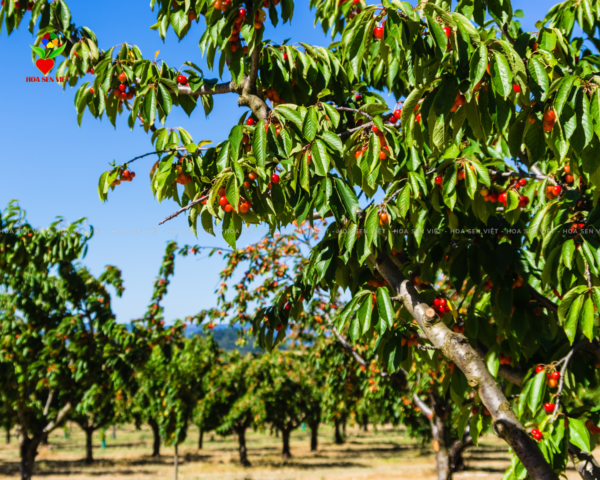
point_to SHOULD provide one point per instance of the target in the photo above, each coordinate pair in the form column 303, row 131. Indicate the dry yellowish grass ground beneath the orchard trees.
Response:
column 384, row 454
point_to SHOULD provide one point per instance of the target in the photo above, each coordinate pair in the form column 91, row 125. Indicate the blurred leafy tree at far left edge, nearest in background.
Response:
column 57, row 327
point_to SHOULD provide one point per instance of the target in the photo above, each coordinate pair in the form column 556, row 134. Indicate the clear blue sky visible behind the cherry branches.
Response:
column 51, row 166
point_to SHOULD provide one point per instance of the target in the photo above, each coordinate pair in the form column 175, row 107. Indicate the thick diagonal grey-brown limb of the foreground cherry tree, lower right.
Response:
column 457, row 349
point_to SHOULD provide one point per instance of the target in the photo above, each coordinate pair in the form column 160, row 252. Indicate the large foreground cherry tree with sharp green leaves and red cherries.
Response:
column 486, row 167
